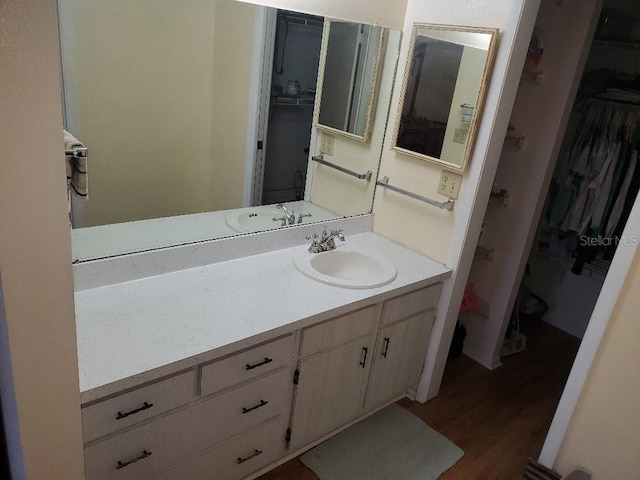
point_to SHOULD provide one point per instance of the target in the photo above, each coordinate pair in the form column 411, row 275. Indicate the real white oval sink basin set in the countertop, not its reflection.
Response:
column 349, row 266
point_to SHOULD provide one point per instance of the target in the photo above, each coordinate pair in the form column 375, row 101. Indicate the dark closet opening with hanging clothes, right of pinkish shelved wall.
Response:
column 595, row 181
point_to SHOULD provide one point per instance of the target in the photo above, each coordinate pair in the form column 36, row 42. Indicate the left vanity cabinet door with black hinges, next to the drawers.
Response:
column 330, row 390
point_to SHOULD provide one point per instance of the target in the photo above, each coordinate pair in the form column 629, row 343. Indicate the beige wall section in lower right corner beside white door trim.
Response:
column 604, row 431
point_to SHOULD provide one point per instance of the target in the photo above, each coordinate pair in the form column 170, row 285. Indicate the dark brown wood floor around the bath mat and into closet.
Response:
column 499, row 418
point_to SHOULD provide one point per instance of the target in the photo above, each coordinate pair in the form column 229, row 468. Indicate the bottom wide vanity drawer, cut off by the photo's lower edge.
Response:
column 237, row 458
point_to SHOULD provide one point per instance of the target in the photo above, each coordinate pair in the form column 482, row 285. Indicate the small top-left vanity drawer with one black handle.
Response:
column 130, row 408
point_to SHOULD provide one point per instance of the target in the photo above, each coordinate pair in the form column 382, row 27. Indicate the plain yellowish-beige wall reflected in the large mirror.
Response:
column 158, row 91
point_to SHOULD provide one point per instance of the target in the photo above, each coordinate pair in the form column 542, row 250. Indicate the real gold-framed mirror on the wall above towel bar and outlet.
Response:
column 443, row 92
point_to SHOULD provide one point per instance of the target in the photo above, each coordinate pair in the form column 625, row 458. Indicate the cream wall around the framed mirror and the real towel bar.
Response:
column 423, row 227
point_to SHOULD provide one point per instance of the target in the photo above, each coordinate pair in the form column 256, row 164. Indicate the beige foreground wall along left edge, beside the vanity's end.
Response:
column 38, row 368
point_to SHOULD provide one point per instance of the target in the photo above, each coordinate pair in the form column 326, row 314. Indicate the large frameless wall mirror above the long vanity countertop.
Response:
column 187, row 111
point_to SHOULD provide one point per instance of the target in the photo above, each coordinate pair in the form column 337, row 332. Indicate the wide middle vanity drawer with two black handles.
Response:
column 160, row 444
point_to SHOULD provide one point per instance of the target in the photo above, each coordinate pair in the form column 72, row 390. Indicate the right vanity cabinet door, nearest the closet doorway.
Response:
column 399, row 357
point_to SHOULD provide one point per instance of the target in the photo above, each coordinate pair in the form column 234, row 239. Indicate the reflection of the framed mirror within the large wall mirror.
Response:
column 350, row 67
